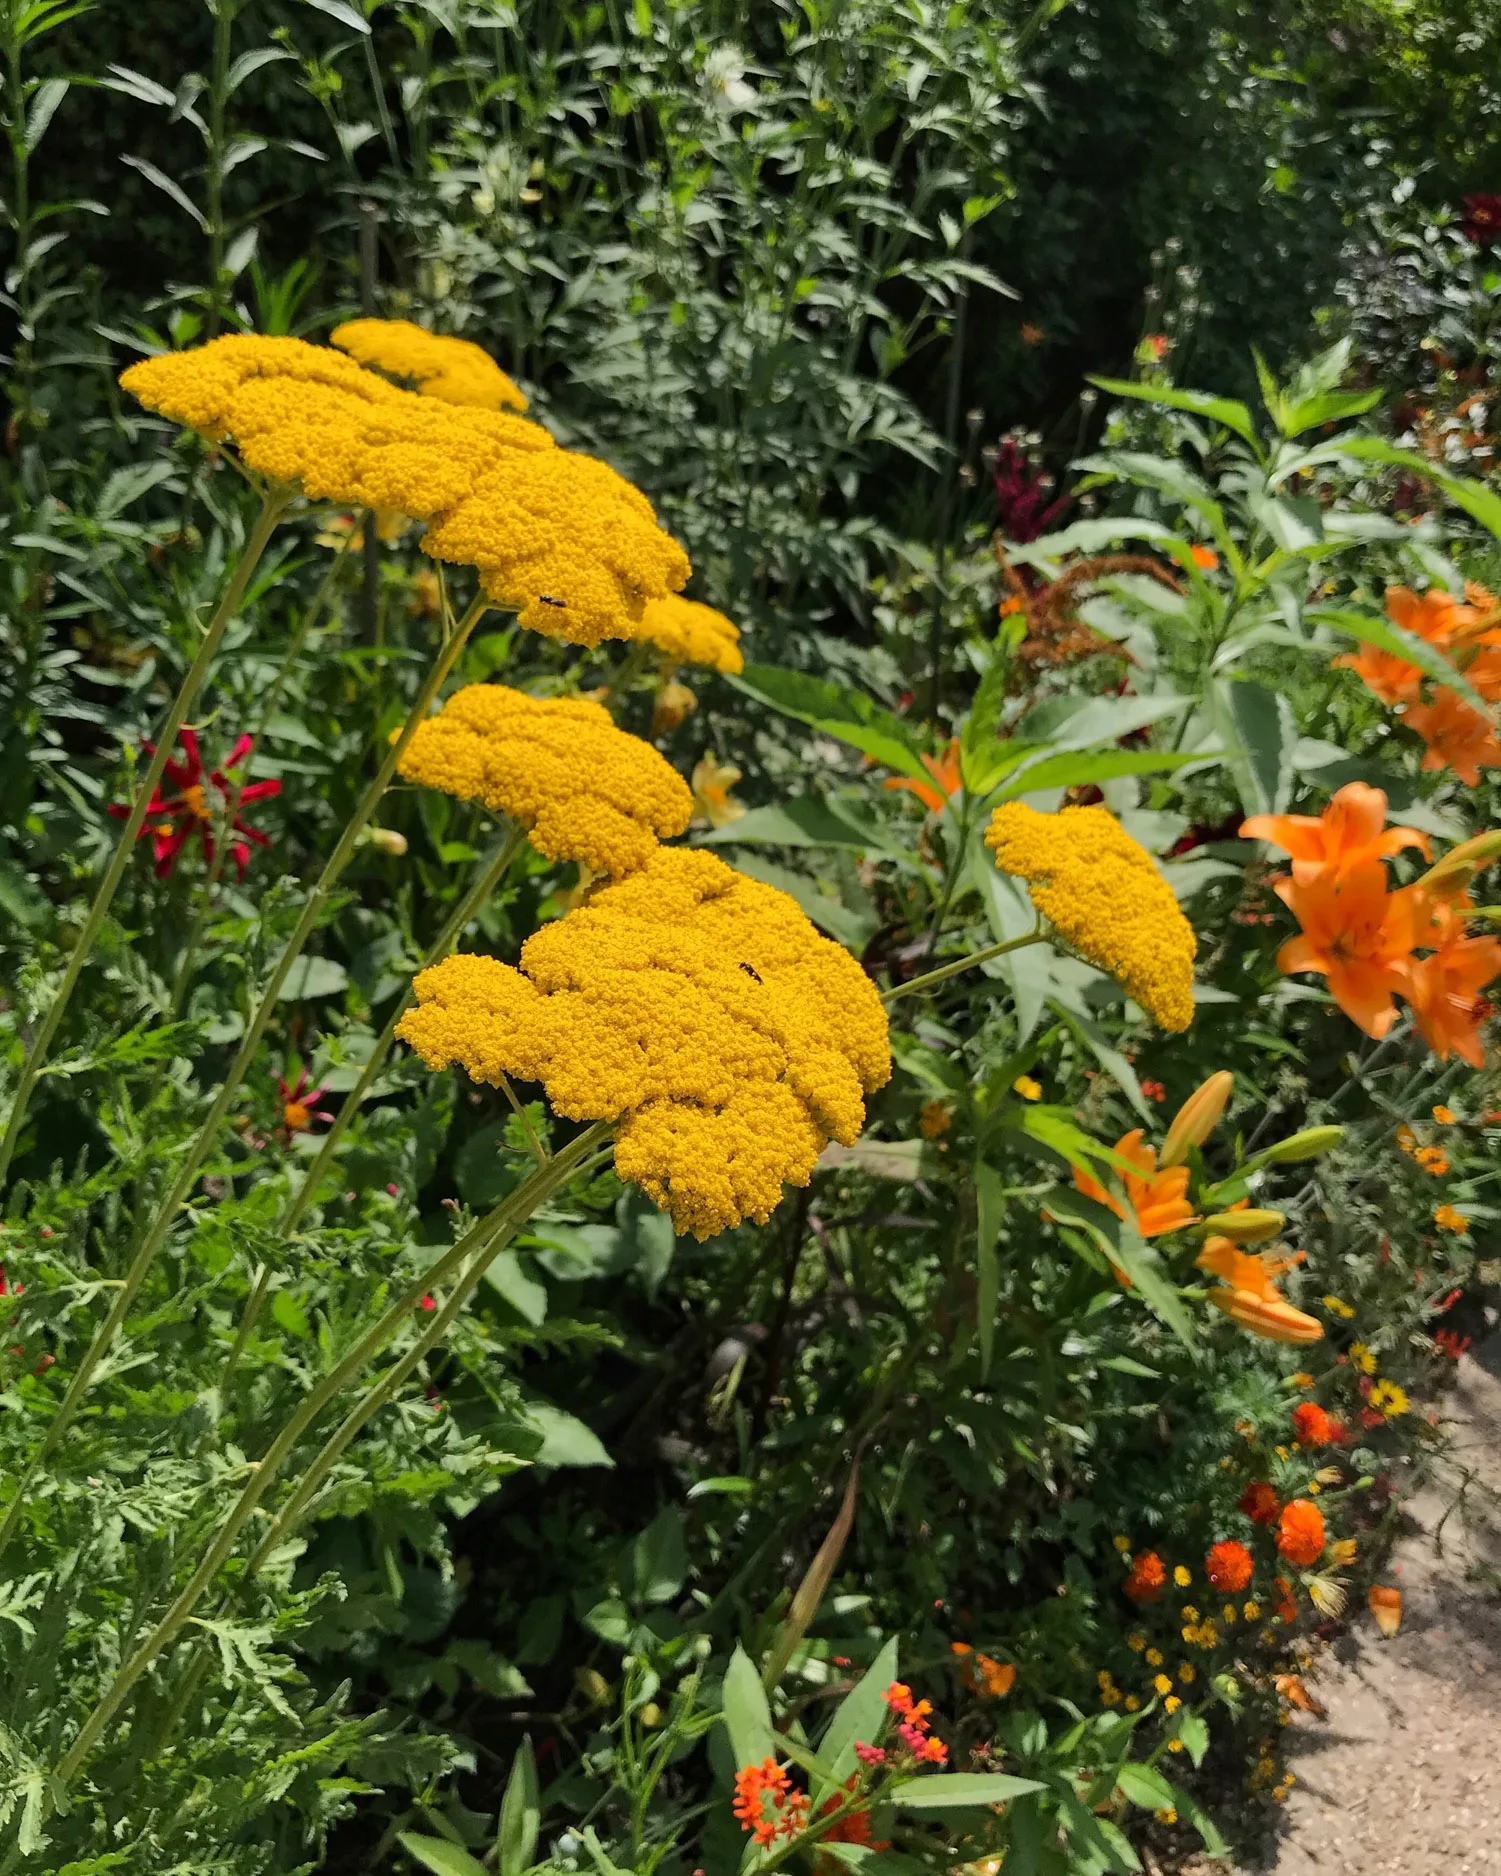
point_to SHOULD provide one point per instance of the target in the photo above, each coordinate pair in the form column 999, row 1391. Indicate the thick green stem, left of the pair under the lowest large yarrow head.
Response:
column 487, row 1239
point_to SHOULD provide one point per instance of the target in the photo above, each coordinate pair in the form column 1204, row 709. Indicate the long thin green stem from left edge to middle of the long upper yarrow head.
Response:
column 204, row 1143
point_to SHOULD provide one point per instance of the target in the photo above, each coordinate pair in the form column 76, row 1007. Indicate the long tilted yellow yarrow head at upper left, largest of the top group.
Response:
column 564, row 539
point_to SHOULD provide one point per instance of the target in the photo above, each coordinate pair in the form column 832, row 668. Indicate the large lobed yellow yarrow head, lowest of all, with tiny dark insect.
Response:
column 693, row 1006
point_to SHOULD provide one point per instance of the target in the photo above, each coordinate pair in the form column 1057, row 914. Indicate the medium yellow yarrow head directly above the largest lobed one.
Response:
column 581, row 787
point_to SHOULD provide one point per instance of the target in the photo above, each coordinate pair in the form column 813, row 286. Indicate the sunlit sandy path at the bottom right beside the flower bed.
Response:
column 1404, row 1778
